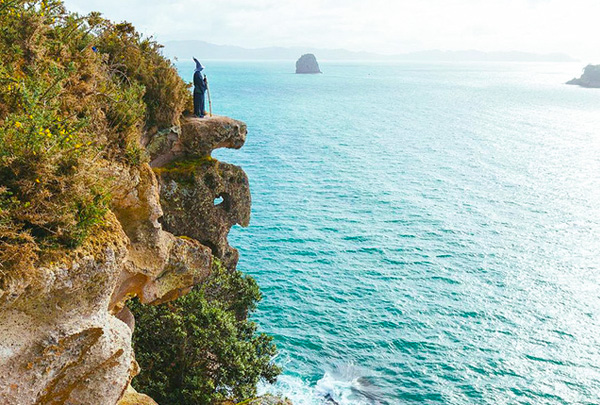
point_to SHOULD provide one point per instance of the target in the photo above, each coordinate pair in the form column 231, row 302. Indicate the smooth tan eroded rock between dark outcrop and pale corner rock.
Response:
column 160, row 266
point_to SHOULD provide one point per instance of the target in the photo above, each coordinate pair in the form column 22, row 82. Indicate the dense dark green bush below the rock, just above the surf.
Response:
column 200, row 349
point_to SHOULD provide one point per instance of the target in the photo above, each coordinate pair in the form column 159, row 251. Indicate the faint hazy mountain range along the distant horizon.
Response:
column 205, row 50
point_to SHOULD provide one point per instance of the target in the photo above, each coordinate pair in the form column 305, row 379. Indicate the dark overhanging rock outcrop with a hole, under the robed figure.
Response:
column 192, row 181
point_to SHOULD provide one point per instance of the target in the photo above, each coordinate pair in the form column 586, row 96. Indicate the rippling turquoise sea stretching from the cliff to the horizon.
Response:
column 423, row 234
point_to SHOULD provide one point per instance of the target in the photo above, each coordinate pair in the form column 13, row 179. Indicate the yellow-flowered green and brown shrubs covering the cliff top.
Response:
column 74, row 91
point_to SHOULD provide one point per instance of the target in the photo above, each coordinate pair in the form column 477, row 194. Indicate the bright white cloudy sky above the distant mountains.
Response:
column 380, row 26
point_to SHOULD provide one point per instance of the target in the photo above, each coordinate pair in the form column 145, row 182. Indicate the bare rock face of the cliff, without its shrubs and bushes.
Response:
column 66, row 337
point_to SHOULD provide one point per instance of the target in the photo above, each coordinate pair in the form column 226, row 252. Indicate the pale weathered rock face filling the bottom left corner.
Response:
column 59, row 342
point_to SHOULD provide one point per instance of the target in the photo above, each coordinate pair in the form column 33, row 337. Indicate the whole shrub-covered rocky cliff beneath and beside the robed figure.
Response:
column 113, row 224
